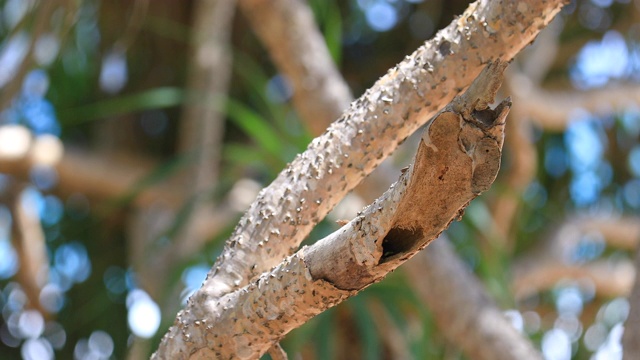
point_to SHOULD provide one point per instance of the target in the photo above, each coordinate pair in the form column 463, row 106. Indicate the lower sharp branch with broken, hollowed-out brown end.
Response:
column 458, row 158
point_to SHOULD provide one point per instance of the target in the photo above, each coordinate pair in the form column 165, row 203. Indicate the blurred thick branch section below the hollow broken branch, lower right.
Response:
column 478, row 325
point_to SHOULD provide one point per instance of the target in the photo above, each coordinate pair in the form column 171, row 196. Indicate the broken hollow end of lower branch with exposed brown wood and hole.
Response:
column 457, row 159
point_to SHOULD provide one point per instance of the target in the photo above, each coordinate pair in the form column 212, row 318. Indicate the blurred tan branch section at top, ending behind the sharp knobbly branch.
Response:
column 319, row 94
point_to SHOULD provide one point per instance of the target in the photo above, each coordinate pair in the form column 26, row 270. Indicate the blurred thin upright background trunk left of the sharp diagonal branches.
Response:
column 201, row 130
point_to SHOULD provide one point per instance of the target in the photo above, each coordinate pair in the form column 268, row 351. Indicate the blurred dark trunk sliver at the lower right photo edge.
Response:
column 630, row 343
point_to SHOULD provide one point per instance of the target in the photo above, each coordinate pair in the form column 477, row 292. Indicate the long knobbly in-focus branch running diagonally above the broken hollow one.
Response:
column 370, row 130
